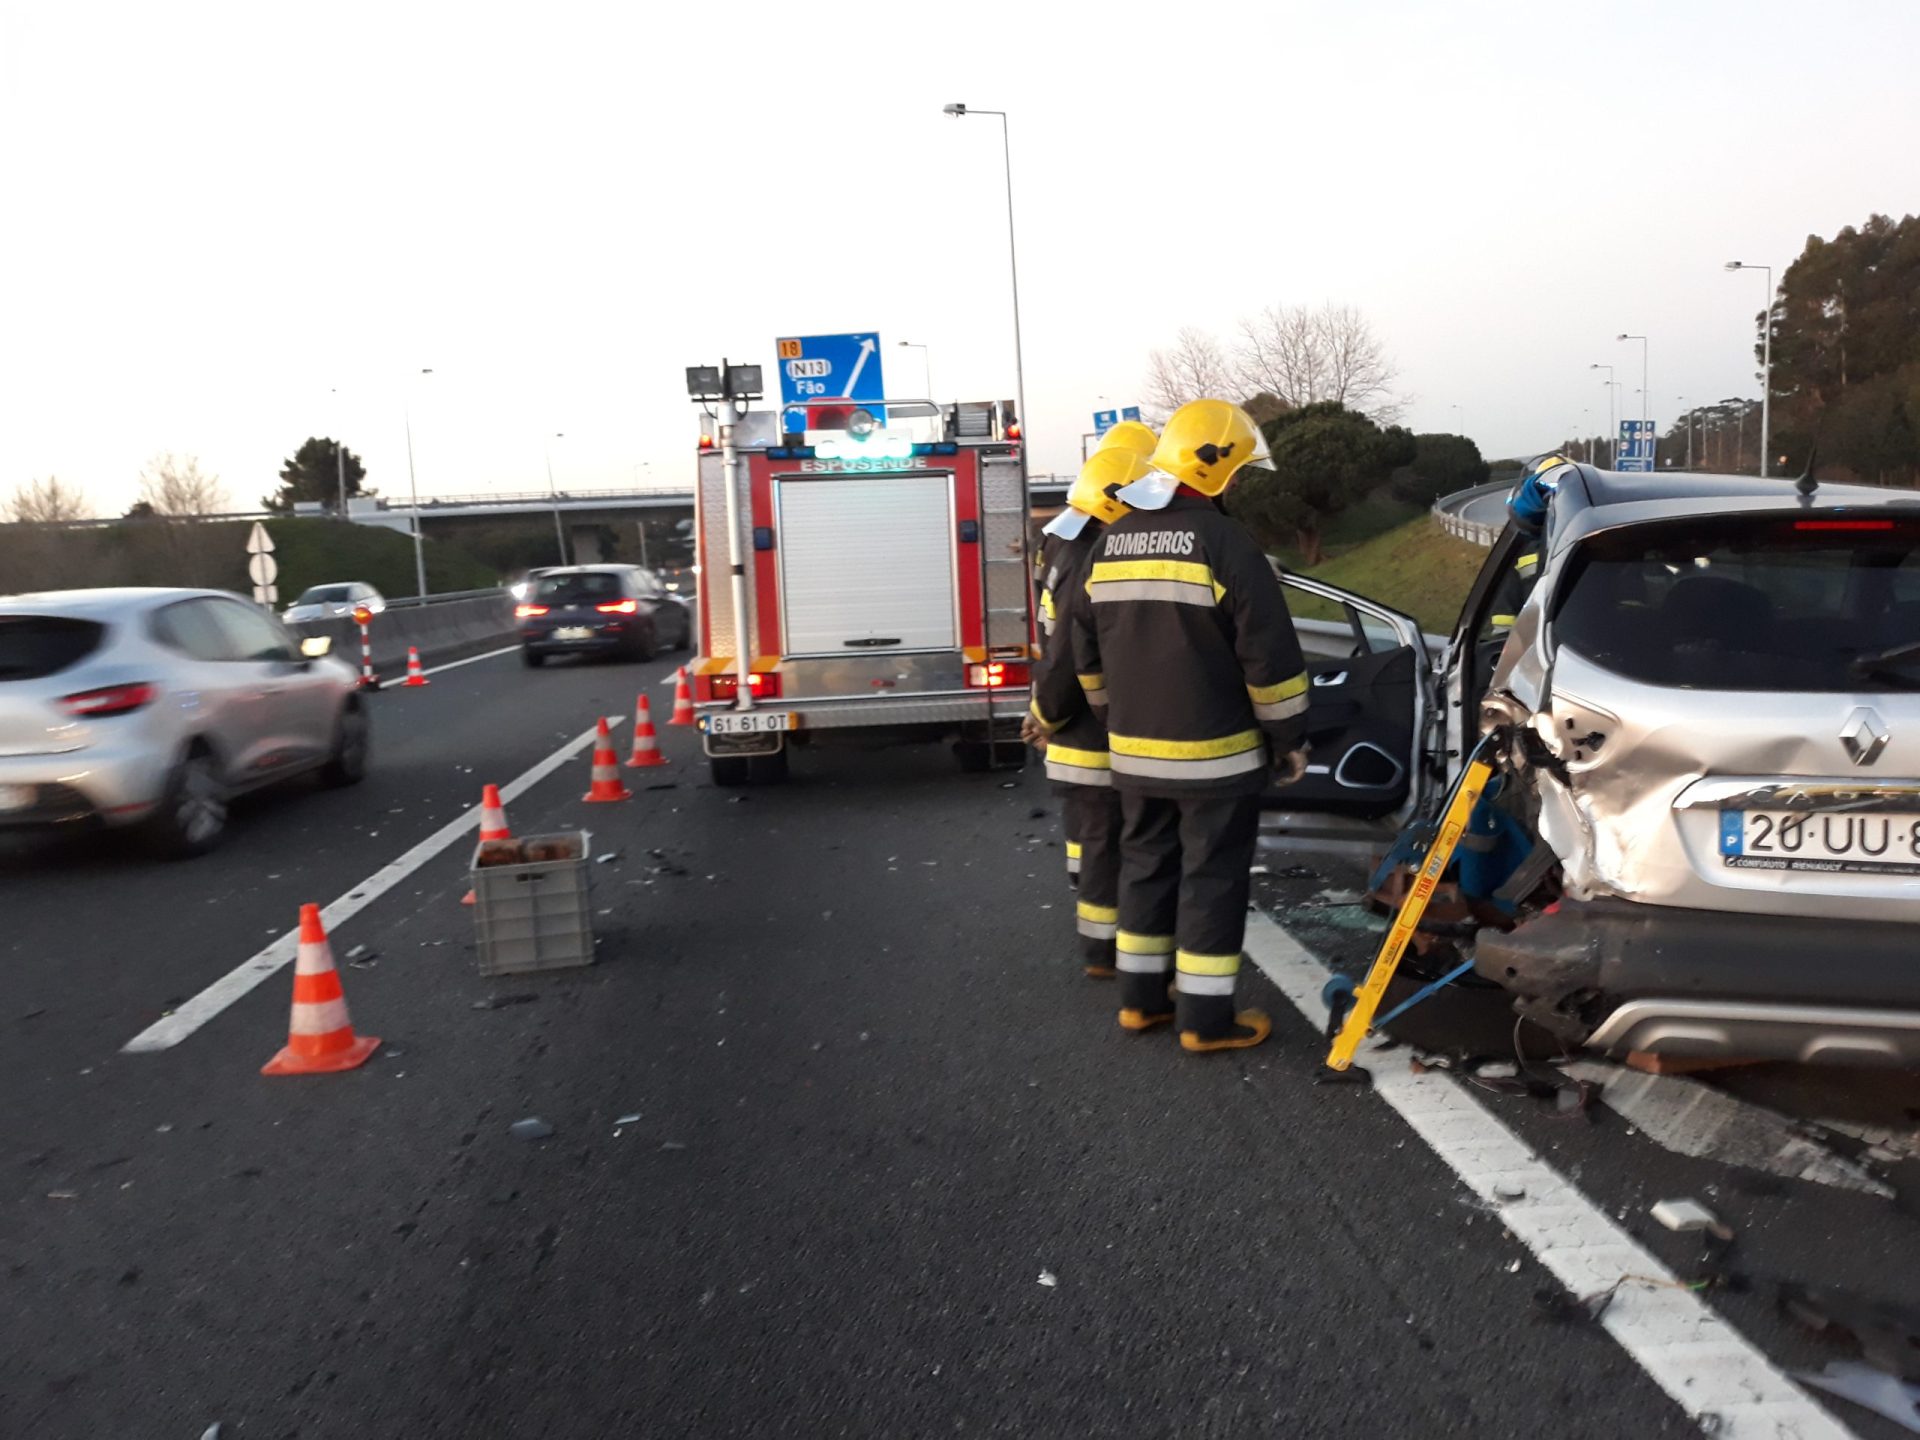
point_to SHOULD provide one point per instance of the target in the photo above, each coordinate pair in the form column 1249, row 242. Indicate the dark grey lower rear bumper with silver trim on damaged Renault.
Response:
column 1702, row 984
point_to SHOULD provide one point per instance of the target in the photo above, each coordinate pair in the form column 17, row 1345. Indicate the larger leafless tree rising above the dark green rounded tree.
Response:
column 1305, row 356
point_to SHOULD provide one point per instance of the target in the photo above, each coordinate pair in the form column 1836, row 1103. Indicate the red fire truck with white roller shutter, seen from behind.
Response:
column 884, row 577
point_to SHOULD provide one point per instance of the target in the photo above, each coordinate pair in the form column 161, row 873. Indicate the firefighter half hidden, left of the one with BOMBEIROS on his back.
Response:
column 1065, row 727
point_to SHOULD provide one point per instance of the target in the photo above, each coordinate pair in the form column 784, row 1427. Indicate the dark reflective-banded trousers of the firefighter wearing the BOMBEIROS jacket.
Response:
column 1186, row 878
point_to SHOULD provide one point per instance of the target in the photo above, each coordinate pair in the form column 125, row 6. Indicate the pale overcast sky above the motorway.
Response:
column 222, row 216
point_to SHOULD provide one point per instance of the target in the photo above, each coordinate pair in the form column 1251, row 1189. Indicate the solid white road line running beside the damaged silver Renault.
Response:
column 1673, row 1335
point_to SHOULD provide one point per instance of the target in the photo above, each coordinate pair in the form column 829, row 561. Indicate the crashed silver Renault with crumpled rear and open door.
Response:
column 1706, row 838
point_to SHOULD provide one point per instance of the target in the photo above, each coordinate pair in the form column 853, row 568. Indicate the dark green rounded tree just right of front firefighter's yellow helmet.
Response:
column 1322, row 460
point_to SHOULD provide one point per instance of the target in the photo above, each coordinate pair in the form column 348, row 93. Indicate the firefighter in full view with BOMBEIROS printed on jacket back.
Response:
column 1188, row 646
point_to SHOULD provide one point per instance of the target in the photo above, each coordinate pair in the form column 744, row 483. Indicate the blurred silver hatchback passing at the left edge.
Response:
column 153, row 708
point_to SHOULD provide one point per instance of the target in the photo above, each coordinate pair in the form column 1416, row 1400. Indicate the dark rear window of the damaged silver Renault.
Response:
column 1800, row 604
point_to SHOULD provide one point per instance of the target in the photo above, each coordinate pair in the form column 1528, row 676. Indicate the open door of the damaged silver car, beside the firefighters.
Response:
column 1370, row 723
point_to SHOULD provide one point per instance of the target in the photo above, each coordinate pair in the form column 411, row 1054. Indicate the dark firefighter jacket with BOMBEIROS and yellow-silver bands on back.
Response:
column 1188, row 644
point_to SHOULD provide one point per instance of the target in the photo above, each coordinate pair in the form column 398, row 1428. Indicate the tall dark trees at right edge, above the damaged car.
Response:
column 1848, row 352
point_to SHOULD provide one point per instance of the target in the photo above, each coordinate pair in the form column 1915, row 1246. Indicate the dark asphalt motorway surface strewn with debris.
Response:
column 894, row 1170
